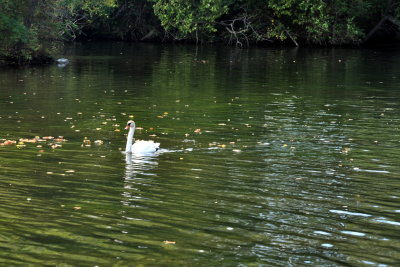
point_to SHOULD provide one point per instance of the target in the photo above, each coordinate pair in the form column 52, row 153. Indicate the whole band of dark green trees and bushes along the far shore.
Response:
column 31, row 31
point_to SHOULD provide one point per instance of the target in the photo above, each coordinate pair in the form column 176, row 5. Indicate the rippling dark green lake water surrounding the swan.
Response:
column 270, row 157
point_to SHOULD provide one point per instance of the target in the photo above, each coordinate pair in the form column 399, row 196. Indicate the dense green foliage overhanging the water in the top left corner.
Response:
column 31, row 30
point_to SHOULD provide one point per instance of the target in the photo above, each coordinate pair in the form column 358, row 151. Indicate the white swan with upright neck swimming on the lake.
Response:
column 140, row 146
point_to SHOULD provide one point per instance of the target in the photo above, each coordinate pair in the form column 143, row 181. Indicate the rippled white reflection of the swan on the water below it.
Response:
column 138, row 172
